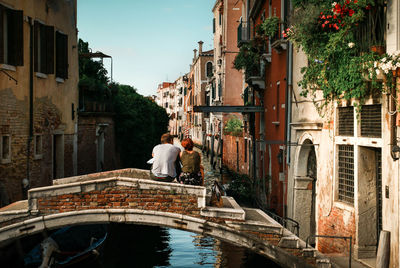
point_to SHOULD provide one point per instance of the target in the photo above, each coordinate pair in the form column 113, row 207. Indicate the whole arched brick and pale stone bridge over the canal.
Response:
column 129, row 196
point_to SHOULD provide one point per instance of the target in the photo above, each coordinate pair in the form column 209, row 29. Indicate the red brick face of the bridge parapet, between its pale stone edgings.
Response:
column 121, row 197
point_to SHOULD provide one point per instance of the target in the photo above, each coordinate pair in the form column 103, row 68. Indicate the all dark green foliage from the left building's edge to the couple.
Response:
column 139, row 122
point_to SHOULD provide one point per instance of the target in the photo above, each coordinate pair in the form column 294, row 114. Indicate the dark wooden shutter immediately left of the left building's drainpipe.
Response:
column 15, row 38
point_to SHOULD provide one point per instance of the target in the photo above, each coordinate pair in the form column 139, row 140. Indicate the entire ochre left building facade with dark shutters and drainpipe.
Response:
column 38, row 92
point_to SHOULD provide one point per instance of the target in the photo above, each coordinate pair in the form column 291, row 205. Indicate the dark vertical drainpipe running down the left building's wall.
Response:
column 25, row 184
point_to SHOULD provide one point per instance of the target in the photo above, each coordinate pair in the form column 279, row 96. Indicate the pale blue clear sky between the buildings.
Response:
column 150, row 41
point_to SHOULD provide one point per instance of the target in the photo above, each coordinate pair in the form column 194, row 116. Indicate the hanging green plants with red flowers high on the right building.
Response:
column 327, row 33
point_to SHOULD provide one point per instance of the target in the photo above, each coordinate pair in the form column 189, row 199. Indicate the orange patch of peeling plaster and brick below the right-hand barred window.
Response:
column 339, row 223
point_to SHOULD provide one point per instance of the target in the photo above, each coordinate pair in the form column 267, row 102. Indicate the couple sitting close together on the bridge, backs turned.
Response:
column 170, row 163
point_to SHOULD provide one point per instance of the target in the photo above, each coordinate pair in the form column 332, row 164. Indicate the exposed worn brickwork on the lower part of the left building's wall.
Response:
column 14, row 121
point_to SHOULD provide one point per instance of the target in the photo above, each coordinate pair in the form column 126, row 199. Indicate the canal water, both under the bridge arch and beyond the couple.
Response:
column 129, row 245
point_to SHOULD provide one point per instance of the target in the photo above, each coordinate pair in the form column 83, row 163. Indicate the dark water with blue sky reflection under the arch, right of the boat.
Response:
column 148, row 246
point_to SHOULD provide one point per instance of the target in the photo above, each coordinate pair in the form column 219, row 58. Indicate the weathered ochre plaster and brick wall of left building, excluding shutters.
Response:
column 52, row 102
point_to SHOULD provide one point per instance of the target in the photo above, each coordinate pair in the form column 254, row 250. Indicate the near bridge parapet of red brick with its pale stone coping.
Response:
column 118, row 193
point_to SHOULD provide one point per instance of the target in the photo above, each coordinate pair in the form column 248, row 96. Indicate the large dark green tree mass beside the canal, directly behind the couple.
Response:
column 139, row 124
